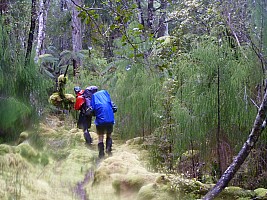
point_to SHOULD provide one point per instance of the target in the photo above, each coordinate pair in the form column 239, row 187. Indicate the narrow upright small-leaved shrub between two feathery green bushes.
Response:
column 161, row 143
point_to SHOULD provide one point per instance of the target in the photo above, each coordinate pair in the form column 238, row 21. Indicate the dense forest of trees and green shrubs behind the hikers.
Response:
column 187, row 76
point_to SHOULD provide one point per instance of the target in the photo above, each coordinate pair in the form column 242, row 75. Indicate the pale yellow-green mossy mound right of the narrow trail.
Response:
column 120, row 176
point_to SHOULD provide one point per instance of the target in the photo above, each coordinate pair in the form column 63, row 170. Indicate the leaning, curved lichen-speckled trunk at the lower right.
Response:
column 258, row 127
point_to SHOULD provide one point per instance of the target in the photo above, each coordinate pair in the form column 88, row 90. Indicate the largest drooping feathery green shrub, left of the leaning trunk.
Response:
column 212, row 92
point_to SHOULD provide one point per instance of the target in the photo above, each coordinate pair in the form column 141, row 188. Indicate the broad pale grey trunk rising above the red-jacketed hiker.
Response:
column 76, row 35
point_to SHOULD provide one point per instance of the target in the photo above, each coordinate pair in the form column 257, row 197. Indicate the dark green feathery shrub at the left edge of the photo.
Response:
column 23, row 89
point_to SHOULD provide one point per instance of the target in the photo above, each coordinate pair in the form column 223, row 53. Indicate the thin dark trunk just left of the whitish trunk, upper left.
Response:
column 31, row 32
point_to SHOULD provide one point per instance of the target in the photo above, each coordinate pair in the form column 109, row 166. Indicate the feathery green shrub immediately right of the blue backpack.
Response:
column 135, row 95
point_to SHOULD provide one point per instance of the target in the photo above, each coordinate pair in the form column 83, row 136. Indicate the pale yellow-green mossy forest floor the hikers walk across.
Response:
column 55, row 163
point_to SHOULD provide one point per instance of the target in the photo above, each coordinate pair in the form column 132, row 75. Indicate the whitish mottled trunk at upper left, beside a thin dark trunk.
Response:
column 44, row 6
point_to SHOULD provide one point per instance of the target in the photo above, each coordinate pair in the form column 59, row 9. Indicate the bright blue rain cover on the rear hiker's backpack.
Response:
column 102, row 108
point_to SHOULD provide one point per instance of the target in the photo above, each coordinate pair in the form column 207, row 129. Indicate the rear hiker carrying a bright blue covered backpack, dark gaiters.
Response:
column 103, row 109
